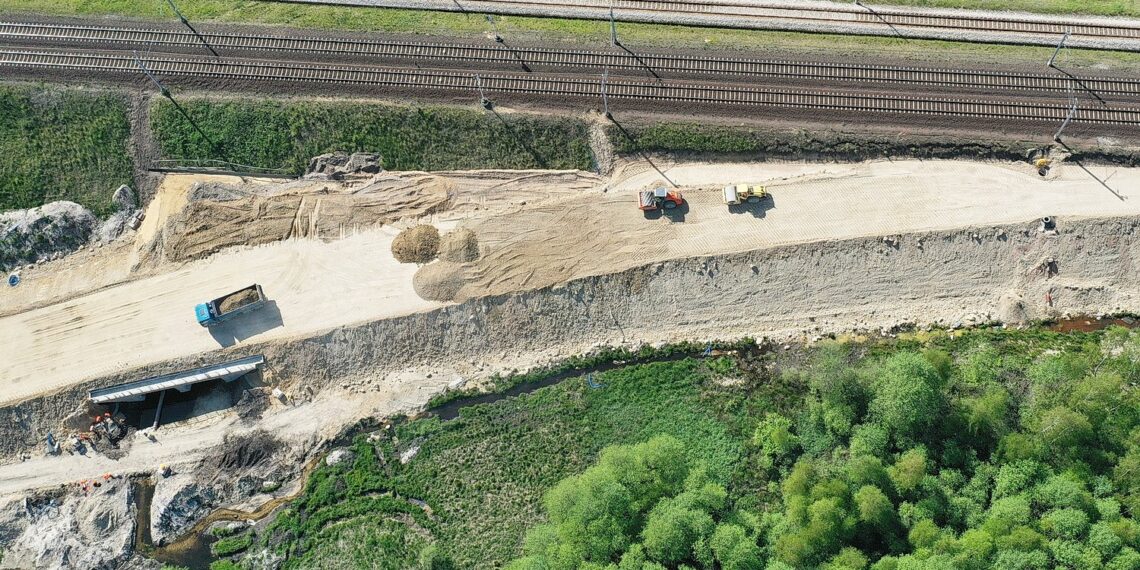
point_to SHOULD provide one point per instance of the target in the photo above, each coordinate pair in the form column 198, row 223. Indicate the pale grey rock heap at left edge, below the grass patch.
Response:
column 37, row 235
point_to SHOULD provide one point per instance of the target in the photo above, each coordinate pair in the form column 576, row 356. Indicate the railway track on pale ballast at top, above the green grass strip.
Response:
column 766, row 14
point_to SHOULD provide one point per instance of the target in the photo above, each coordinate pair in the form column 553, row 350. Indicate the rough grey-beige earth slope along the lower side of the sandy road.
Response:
column 963, row 276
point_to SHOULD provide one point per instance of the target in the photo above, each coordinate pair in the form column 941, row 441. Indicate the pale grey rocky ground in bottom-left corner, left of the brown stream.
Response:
column 72, row 531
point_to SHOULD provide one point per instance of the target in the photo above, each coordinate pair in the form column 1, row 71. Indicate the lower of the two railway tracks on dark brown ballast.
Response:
column 553, row 86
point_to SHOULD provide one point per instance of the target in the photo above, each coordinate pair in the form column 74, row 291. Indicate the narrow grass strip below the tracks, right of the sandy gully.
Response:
column 720, row 141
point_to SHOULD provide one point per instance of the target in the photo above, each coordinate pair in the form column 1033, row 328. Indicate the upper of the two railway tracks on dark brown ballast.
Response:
column 302, row 48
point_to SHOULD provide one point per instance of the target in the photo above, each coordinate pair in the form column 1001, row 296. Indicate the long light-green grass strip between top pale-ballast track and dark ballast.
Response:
column 598, row 34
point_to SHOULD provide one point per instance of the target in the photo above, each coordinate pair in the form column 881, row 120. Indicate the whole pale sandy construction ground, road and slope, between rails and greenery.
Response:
column 123, row 307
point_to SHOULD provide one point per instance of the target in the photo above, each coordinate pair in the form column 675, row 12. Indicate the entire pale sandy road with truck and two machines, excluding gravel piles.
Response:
column 319, row 286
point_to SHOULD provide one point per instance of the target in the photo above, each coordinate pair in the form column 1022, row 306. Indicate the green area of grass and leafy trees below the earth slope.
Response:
column 987, row 450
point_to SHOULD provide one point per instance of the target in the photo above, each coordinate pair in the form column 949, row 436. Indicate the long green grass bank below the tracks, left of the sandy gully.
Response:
column 286, row 135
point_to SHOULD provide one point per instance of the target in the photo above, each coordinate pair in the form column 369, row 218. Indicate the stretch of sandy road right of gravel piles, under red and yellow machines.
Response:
column 542, row 247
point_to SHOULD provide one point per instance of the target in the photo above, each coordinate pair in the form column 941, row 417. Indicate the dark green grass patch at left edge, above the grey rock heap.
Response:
column 62, row 144
